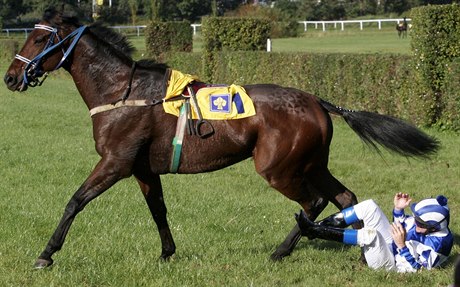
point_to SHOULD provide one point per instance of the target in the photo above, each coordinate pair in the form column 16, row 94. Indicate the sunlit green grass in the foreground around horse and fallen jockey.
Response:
column 225, row 223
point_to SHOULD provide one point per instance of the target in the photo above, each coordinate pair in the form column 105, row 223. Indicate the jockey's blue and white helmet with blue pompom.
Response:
column 432, row 213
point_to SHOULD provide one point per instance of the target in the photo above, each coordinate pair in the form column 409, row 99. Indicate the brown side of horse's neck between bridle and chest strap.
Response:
column 99, row 77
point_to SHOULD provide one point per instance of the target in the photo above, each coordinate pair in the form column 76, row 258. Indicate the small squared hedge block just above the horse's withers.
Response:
column 163, row 37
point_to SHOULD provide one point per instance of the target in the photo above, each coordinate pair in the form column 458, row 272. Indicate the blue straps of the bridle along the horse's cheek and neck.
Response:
column 34, row 63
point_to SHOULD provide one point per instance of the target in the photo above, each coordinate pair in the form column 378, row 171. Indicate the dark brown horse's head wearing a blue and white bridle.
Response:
column 46, row 49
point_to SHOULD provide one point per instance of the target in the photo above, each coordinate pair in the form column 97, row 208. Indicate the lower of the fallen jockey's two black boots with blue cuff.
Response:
column 313, row 230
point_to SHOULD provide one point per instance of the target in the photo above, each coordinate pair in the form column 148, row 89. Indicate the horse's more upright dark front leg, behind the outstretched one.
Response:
column 153, row 193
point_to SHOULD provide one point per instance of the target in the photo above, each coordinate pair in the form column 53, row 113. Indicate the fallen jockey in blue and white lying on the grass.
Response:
column 406, row 245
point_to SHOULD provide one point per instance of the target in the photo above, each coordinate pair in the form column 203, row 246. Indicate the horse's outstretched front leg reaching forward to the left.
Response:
column 106, row 174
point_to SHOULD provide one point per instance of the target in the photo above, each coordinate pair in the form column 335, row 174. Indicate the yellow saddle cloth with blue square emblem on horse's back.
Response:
column 215, row 103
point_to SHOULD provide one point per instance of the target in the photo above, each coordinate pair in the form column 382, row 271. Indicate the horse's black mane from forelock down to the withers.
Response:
column 116, row 43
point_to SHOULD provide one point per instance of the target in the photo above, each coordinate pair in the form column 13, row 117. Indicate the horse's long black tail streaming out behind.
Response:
column 389, row 132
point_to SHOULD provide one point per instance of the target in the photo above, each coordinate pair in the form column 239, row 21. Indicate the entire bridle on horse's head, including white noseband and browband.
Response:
column 33, row 70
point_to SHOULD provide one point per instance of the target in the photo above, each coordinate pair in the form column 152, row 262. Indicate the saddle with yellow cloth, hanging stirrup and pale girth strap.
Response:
column 190, row 99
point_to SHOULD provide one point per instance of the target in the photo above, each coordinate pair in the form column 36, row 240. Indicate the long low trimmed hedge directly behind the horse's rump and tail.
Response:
column 369, row 82
